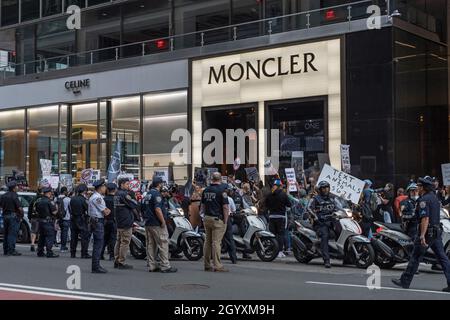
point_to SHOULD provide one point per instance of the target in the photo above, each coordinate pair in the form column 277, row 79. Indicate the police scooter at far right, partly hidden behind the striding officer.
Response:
column 394, row 246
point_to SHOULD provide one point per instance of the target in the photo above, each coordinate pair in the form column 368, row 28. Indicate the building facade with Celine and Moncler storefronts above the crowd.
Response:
column 138, row 70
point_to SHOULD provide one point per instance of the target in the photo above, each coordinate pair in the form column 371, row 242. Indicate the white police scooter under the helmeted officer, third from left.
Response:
column 346, row 241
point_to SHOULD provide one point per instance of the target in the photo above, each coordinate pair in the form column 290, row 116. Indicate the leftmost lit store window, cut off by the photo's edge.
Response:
column 12, row 143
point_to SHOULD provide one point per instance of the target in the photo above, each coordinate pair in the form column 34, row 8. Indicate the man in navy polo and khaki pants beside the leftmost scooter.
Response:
column 156, row 233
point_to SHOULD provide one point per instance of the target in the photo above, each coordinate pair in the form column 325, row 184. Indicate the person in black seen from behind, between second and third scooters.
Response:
column 276, row 203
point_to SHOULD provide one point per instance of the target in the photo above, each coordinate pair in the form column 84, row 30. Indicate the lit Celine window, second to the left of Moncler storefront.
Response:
column 126, row 130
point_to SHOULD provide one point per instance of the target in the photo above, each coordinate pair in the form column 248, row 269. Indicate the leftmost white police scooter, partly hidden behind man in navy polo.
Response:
column 183, row 239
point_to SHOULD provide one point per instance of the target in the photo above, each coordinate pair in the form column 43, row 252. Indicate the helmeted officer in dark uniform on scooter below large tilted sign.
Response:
column 321, row 207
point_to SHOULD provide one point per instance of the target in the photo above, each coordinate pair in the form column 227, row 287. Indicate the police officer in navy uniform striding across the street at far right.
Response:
column 430, row 235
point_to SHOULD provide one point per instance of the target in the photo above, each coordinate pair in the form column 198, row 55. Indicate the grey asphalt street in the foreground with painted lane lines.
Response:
column 30, row 277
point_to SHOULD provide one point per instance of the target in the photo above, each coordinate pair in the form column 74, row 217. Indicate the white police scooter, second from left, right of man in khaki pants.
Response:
column 256, row 238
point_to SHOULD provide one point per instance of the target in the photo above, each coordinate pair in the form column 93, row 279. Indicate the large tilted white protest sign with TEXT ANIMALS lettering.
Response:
column 342, row 184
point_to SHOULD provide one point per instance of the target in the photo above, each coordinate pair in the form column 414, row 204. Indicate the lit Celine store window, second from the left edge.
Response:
column 42, row 141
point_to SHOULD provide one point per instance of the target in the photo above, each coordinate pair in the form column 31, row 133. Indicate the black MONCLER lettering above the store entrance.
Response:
column 263, row 68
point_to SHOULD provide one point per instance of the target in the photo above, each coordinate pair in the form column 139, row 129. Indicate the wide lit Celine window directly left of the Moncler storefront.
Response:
column 163, row 113
